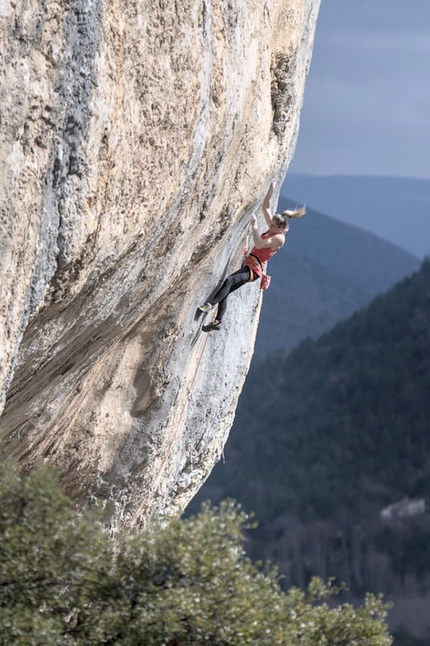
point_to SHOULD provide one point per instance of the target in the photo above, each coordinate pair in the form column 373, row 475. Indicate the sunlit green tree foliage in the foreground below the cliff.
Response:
column 64, row 580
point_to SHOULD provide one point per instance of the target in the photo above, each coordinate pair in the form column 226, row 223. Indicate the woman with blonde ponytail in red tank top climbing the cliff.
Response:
column 254, row 265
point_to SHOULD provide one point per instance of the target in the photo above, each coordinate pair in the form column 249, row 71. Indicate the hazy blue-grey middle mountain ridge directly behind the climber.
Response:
column 326, row 271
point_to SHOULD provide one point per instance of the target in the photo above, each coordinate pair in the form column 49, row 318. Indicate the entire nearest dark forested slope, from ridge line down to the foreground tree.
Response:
column 327, row 437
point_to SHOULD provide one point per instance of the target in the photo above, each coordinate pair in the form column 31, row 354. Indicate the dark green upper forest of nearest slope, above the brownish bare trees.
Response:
column 315, row 428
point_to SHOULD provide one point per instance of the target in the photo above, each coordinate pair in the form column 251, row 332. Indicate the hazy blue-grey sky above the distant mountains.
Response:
column 367, row 100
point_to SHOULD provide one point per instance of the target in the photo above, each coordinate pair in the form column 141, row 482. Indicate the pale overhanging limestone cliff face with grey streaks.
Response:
column 137, row 138
